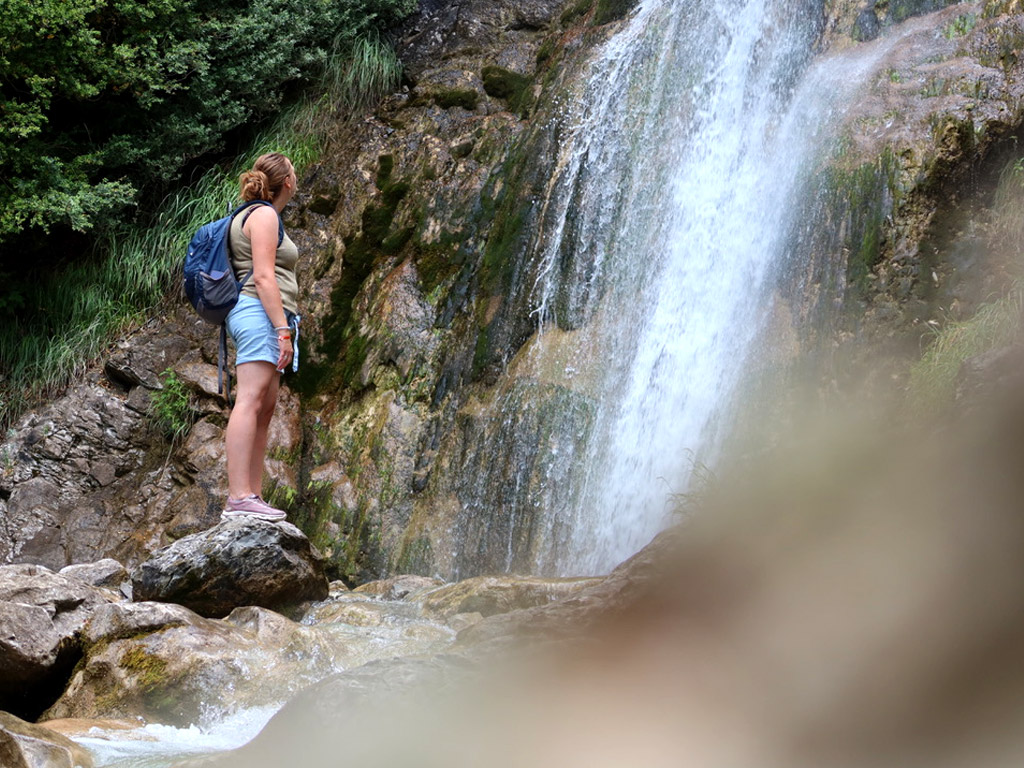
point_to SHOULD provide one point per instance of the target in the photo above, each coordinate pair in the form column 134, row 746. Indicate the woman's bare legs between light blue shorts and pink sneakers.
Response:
column 247, row 426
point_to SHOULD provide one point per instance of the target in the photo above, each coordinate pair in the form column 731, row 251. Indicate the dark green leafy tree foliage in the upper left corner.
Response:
column 102, row 99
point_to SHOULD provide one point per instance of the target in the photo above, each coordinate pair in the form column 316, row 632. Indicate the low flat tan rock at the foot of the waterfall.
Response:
column 492, row 595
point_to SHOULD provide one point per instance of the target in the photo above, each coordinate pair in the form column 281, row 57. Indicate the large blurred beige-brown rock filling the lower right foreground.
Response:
column 856, row 601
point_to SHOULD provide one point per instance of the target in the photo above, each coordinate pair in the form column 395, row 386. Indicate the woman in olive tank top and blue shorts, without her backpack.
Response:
column 262, row 325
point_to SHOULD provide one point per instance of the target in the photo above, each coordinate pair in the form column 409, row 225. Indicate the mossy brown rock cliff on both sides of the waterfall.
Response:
column 419, row 233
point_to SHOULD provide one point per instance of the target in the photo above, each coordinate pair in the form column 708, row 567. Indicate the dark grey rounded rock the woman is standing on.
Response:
column 237, row 564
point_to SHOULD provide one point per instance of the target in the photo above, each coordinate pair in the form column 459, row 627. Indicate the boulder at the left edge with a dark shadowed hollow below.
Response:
column 40, row 616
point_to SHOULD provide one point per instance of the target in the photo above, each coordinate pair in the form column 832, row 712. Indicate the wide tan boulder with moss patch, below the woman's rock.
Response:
column 168, row 665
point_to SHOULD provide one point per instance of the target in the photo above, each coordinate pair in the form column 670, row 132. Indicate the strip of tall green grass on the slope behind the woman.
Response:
column 83, row 308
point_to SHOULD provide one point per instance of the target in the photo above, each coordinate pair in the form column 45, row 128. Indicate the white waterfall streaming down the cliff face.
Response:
column 668, row 217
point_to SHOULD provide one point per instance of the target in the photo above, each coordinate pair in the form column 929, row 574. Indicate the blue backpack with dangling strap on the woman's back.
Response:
column 210, row 283
